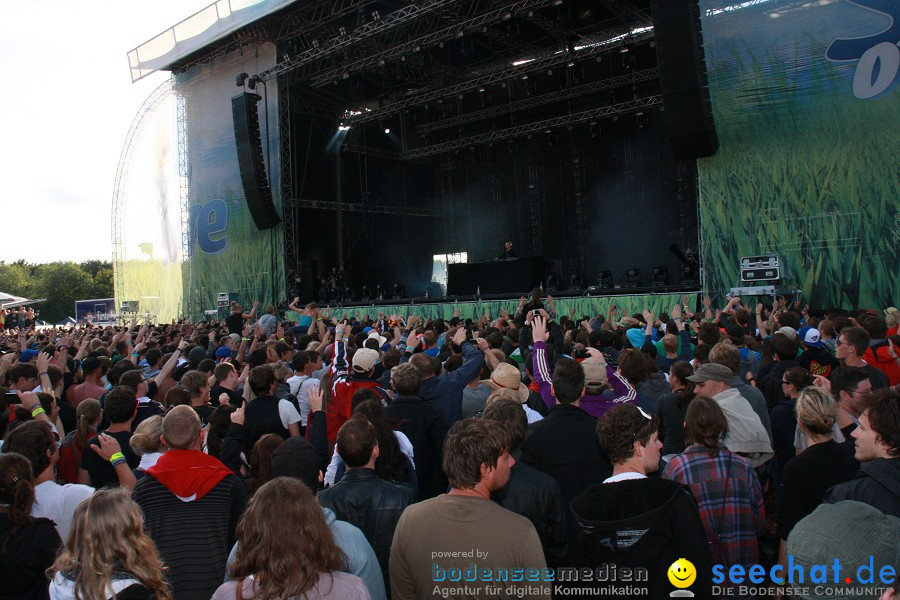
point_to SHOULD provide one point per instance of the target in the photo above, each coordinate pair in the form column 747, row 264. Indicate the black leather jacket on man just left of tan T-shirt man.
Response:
column 373, row 504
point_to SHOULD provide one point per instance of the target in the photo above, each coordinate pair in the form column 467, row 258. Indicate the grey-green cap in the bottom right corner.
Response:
column 850, row 532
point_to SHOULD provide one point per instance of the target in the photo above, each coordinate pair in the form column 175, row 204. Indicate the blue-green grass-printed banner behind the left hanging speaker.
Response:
column 228, row 254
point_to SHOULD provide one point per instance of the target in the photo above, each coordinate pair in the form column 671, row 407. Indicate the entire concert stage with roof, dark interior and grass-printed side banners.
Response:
column 386, row 137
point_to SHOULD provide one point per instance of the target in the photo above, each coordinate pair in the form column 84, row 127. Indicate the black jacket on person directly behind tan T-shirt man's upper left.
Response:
column 426, row 429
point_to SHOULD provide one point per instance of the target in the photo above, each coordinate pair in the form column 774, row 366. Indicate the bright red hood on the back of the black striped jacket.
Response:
column 189, row 474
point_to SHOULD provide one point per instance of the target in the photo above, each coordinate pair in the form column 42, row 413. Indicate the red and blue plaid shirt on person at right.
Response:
column 737, row 517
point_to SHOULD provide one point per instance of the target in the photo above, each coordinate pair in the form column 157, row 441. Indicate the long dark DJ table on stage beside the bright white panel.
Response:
column 510, row 276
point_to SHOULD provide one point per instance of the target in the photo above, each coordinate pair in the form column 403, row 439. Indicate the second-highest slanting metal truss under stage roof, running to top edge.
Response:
column 432, row 38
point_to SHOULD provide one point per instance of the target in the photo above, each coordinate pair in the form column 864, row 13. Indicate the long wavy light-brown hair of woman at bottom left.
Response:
column 108, row 528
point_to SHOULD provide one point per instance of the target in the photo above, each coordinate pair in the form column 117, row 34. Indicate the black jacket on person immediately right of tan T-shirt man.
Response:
column 537, row 497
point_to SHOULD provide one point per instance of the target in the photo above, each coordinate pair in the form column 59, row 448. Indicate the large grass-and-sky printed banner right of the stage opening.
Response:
column 808, row 115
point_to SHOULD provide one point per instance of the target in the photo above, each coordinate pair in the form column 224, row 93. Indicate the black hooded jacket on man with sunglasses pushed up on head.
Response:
column 644, row 523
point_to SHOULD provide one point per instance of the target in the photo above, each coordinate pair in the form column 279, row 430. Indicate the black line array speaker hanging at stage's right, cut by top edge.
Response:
column 682, row 74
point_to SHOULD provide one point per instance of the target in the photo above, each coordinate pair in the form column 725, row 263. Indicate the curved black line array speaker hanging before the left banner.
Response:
column 250, row 159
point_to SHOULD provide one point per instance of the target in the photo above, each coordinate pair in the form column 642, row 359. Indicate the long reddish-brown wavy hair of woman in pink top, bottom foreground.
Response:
column 284, row 566
